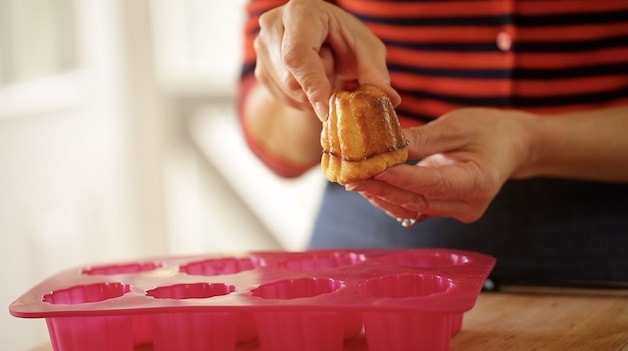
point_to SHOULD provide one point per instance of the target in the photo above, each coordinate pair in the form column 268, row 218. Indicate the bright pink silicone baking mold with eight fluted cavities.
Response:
column 375, row 300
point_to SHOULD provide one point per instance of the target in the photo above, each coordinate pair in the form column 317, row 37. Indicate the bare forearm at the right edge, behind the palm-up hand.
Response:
column 589, row 144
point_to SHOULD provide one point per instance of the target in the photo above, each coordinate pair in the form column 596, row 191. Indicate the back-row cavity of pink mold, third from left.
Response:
column 323, row 260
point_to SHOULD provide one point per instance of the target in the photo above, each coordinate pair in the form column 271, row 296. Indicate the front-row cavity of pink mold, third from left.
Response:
column 297, row 288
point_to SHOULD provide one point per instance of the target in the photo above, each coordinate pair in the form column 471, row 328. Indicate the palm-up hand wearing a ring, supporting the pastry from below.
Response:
column 466, row 156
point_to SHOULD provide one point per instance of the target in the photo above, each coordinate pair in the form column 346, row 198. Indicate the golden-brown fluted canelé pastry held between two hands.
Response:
column 362, row 135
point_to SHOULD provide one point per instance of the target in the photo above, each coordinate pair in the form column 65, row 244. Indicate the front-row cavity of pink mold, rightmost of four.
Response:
column 406, row 285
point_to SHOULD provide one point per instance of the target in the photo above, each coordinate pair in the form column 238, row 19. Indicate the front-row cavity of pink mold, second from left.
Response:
column 191, row 291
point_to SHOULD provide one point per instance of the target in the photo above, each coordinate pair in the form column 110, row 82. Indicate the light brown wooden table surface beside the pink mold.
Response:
column 525, row 319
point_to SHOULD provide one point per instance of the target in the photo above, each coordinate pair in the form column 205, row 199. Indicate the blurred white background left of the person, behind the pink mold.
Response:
column 119, row 141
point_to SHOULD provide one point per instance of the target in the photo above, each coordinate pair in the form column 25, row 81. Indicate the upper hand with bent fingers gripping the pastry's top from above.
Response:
column 307, row 48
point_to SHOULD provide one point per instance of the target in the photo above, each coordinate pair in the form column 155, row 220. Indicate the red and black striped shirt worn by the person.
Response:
column 542, row 56
